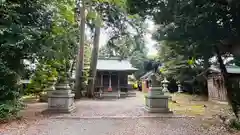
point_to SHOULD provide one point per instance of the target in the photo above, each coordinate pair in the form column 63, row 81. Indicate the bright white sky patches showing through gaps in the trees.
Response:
column 148, row 38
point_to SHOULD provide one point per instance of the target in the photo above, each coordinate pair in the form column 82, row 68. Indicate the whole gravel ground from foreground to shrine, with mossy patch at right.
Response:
column 110, row 117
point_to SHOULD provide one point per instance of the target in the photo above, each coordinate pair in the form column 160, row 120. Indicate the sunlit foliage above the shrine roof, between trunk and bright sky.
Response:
column 126, row 44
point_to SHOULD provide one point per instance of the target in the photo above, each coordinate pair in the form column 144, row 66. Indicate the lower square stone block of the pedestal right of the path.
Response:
column 157, row 104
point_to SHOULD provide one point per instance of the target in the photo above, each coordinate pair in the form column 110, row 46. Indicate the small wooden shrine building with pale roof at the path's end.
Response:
column 112, row 75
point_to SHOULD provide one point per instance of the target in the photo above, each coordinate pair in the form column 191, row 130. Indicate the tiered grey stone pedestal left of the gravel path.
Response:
column 61, row 100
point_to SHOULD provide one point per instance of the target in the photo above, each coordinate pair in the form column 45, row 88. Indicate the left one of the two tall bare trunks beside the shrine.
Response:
column 80, row 56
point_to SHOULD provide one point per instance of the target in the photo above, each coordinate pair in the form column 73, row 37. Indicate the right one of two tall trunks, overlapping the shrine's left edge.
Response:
column 93, row 65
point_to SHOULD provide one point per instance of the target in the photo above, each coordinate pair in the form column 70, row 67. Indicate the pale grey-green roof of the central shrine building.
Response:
column 114, row 64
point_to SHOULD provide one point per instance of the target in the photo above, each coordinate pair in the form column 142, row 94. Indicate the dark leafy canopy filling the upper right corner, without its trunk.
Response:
column 193, row 23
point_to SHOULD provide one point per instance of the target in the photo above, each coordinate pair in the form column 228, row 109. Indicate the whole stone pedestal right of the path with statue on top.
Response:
column 156, row 101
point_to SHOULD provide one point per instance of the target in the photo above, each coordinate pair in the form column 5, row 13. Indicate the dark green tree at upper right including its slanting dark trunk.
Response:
column 199, row 29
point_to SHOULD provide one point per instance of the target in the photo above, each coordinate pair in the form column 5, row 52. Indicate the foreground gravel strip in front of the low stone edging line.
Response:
column 149, row 126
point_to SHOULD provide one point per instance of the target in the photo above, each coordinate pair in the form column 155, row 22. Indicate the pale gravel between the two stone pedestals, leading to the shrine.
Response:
column 128, row 107
